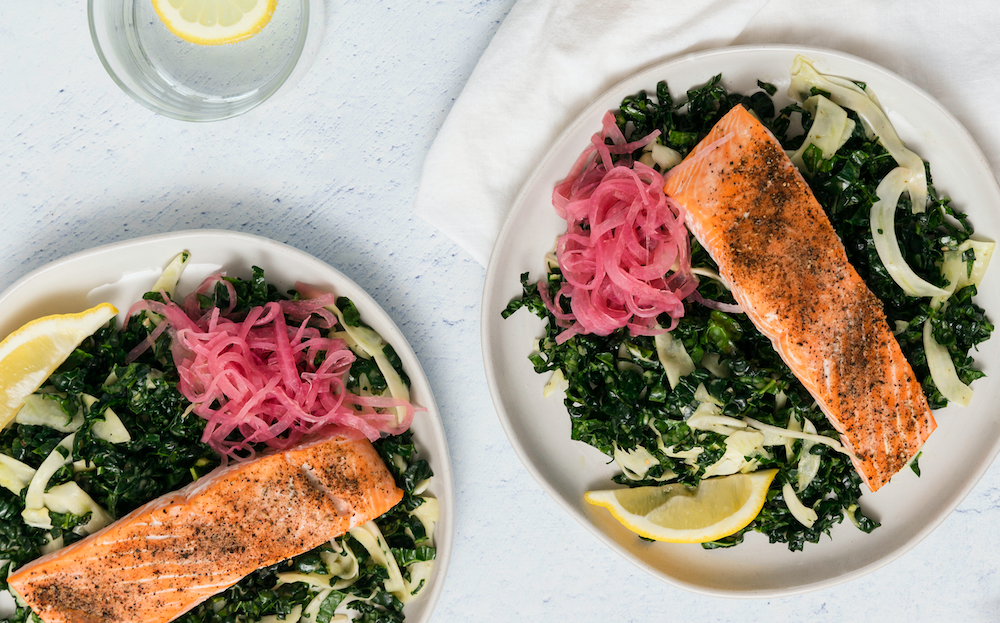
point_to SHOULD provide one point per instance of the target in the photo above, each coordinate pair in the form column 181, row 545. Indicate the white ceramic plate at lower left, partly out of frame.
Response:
column 120, row 274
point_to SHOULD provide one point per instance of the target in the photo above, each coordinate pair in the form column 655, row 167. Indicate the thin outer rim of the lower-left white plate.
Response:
column 444, row 532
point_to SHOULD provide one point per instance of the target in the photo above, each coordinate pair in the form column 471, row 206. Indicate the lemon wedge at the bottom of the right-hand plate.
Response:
column 677, row 513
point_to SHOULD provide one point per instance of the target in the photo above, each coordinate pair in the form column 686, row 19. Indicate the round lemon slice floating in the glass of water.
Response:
column 214, row 22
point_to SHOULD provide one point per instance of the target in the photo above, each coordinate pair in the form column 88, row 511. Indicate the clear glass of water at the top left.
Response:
column 195, row 82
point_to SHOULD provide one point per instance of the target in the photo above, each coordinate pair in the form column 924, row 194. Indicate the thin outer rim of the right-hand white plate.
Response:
column 649, row 74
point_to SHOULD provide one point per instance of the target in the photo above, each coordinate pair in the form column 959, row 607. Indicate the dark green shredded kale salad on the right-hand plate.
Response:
column 616, row 388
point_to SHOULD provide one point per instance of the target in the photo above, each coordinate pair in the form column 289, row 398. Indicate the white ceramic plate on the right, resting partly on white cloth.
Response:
column 954, row 458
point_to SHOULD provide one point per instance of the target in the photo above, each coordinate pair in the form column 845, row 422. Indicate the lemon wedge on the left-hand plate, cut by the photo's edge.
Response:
column 29, row 355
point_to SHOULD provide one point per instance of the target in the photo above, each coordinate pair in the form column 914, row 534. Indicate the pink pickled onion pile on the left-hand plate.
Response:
column 256, row 378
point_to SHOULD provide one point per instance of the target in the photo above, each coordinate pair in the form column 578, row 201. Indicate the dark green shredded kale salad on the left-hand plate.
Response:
column 164, row 453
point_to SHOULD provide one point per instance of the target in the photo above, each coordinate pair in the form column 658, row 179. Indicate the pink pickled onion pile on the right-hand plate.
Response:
column 625, row 255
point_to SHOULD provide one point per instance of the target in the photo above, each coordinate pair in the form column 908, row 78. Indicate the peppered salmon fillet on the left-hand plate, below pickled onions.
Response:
column 171, row 554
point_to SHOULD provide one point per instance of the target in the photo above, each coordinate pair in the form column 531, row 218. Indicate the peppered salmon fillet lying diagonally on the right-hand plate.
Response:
column 757, row 217
